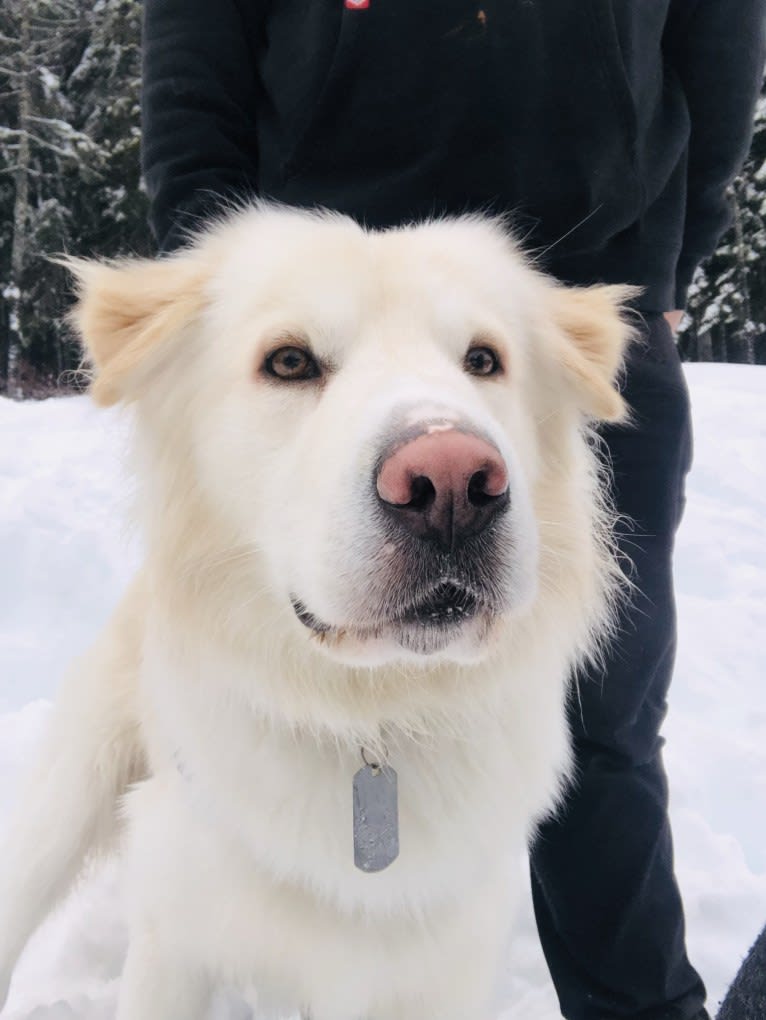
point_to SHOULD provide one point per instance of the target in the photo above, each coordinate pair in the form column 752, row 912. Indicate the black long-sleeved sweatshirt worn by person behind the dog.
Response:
column 608, row 129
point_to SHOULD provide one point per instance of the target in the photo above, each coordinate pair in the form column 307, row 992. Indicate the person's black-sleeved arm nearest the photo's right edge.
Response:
column 718, row 49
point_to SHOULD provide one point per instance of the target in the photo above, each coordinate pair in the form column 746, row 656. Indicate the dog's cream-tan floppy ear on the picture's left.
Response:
column 127, row 314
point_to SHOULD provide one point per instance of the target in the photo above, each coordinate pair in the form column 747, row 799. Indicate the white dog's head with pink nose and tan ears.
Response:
column 374, row 428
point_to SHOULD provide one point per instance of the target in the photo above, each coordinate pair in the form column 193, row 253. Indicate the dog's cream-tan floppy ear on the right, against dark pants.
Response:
column 595, row 334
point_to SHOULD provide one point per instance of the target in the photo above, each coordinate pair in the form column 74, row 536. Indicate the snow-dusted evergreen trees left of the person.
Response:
column 70, row 92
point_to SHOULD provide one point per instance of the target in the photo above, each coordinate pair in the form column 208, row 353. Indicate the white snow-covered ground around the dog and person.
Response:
column 66, row 558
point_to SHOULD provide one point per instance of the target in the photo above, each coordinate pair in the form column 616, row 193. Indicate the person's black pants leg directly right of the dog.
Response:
column 606, row 901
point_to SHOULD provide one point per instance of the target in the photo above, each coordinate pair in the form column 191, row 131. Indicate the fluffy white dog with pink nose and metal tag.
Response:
column 331, row 710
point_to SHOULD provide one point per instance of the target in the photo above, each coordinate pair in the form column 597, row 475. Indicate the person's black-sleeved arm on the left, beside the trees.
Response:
column 198, row 134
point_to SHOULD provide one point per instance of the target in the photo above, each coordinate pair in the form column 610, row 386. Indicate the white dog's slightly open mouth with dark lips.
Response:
column 446, row 606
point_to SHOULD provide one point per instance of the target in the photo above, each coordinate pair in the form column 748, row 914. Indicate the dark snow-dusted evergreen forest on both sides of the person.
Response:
column 70, row 182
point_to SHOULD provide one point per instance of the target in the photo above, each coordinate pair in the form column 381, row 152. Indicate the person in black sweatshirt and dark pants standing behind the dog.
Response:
column 608, row 132
